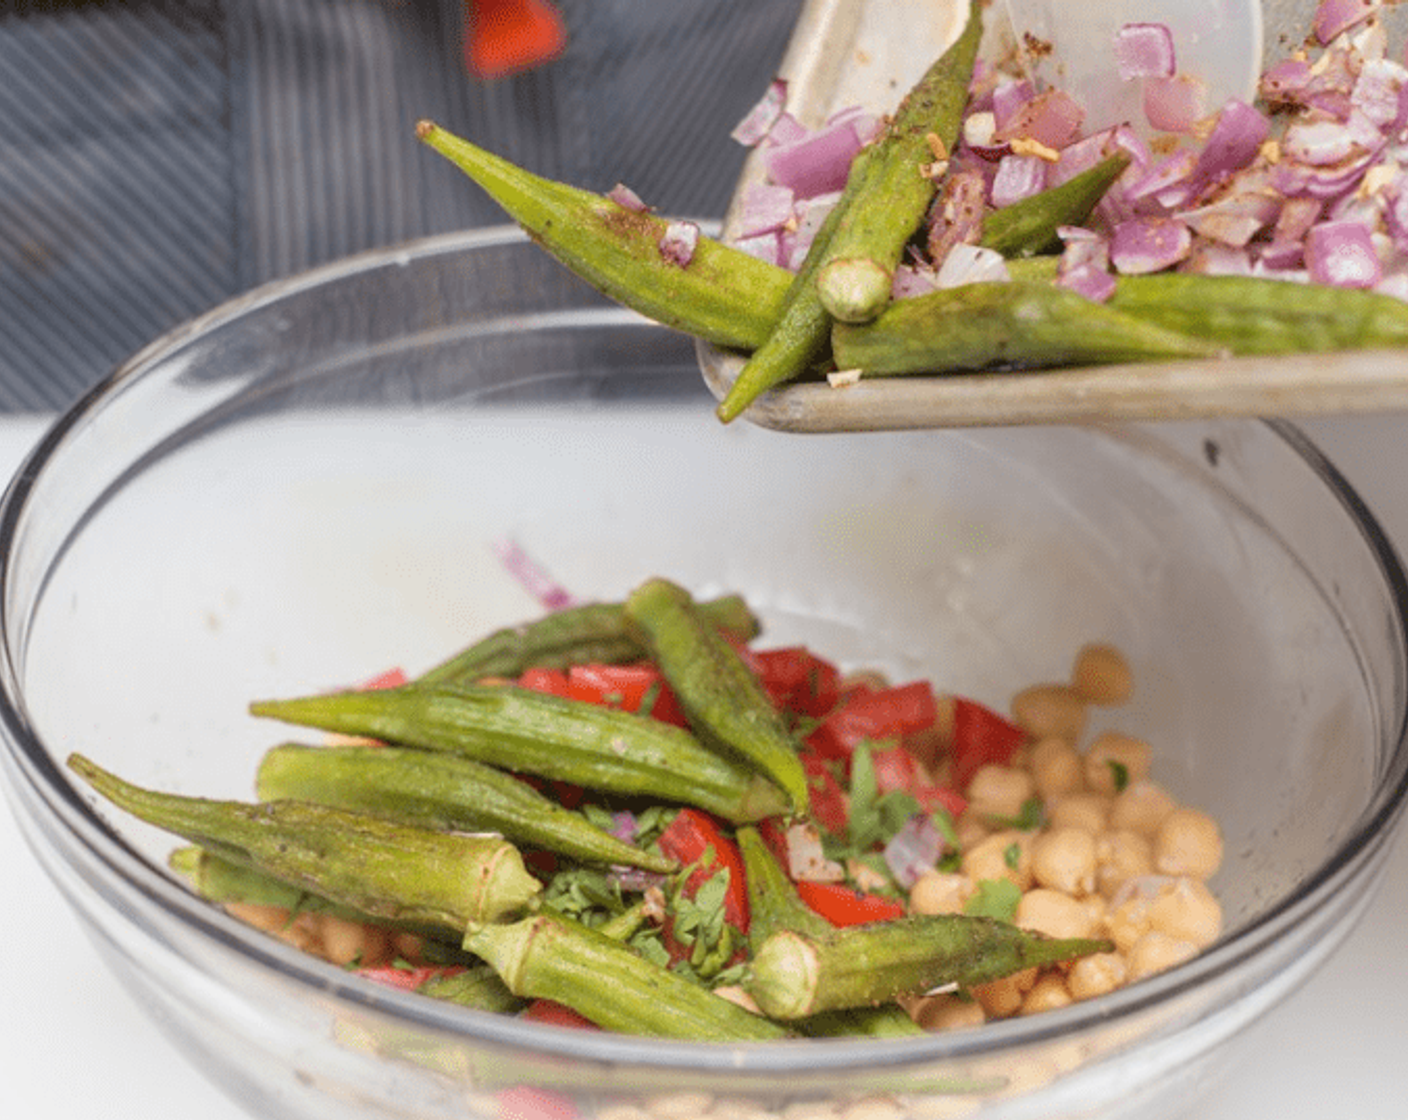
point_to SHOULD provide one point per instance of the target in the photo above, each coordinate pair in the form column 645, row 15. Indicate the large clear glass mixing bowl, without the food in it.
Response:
column 310, row 484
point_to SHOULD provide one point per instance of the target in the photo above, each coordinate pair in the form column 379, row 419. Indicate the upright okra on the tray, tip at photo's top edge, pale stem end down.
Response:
column 893, row 184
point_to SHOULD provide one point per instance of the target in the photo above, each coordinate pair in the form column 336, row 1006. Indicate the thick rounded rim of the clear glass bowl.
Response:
column 103, row 846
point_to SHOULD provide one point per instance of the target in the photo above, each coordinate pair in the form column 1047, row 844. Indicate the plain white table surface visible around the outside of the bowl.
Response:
column 75, row 1046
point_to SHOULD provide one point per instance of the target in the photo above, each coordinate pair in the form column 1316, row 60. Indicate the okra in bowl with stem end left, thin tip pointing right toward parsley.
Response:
column 446, row 792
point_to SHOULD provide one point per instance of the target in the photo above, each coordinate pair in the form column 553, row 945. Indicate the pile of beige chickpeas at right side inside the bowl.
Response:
column 1116, row 856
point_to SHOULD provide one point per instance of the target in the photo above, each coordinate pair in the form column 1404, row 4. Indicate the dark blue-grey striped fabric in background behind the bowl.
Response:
column 161, row 156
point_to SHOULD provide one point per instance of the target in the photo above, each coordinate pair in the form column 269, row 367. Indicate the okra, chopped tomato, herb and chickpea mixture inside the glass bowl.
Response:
column 631, row 816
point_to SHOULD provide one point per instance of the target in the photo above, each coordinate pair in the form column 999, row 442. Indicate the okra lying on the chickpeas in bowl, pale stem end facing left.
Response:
column 796, row 976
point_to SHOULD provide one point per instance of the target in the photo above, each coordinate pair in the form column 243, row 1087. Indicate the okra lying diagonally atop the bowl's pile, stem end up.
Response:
column 723, row 699
